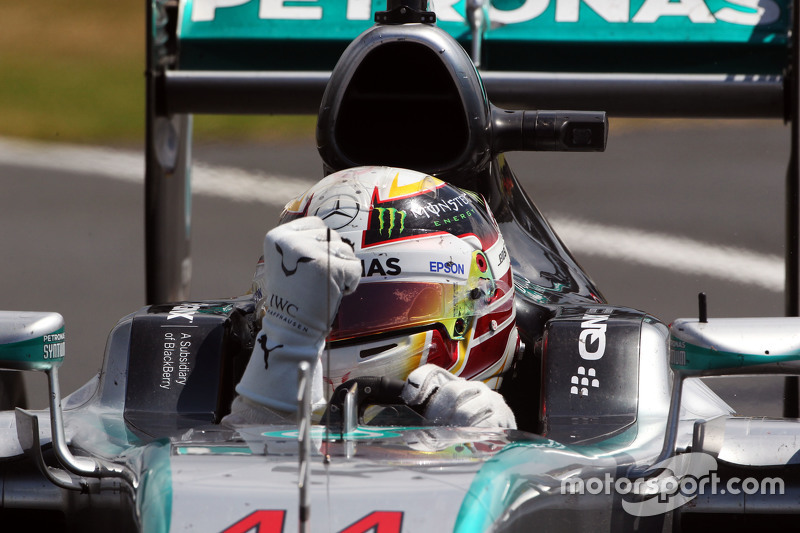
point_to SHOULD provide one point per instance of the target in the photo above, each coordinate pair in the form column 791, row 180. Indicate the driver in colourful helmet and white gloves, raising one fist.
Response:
column 418, row 288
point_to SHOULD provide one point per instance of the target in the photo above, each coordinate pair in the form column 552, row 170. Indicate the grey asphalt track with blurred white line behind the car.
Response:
column 73, row 239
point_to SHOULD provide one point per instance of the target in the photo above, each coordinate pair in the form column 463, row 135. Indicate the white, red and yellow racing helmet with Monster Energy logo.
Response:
column 435, row 284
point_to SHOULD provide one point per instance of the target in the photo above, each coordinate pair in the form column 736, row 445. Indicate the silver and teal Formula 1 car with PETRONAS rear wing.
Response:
column 615, row 430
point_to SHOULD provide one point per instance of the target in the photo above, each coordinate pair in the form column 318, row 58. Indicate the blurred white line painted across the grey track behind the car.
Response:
column 658, row 250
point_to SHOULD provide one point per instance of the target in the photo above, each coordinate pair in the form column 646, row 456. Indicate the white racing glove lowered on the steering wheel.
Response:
column 453, row 401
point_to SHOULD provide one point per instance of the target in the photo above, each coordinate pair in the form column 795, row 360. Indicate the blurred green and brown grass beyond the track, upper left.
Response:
column 73, row 70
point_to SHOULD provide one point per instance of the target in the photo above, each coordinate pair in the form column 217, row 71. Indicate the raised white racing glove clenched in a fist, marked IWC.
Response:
column 298, row 273
